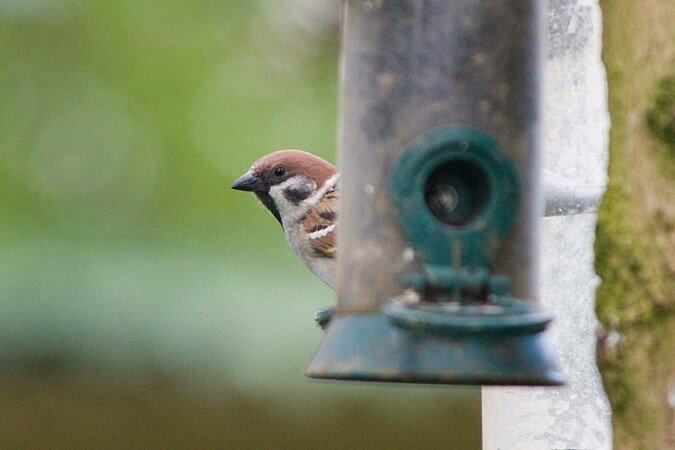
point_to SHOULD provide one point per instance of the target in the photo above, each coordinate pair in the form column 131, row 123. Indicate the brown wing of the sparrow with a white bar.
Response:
column 321, row 225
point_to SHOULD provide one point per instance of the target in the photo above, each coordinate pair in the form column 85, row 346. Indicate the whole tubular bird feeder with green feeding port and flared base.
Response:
column 440, row 196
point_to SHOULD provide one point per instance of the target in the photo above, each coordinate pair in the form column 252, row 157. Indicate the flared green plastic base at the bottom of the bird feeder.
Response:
column 371, row 347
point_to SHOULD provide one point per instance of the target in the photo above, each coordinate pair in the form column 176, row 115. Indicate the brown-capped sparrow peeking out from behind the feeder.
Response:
column 301, row 191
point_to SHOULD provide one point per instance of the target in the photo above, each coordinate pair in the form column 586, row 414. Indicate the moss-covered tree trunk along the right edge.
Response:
column 635, row 302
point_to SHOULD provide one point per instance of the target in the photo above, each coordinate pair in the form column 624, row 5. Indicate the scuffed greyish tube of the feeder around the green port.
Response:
column 407, row 67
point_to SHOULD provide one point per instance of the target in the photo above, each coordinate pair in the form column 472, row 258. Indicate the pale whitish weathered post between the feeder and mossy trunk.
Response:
column 576, row 124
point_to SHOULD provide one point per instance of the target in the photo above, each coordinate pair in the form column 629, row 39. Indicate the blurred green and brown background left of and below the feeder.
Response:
column 142, row 302
